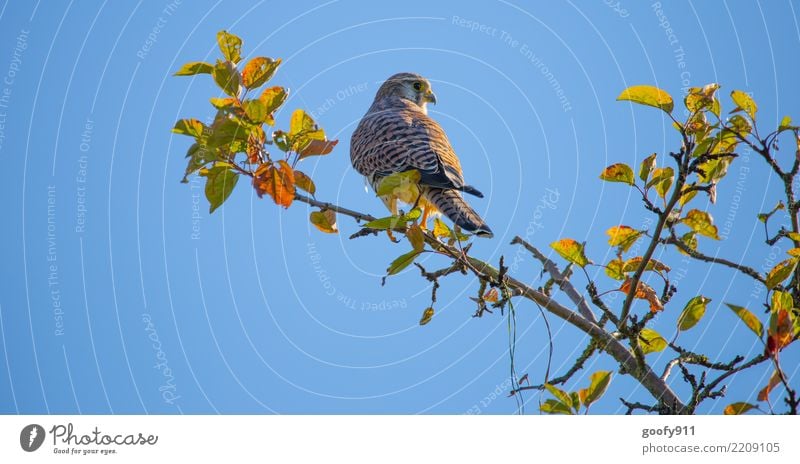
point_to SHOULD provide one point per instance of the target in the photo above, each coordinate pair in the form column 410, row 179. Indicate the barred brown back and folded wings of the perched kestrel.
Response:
column 400, row 139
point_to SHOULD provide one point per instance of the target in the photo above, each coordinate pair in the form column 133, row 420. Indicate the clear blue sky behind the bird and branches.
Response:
column 113, row 300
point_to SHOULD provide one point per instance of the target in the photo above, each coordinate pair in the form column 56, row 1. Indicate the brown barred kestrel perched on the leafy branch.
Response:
column 397, row 135
